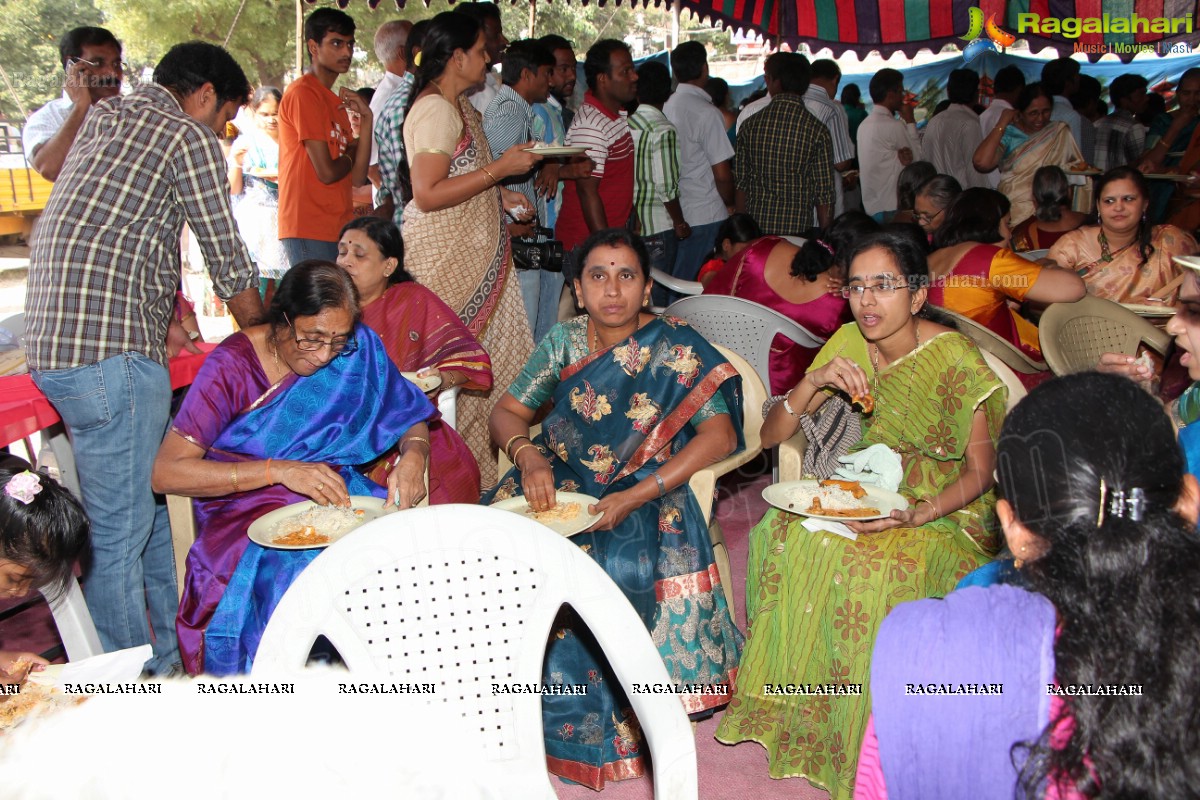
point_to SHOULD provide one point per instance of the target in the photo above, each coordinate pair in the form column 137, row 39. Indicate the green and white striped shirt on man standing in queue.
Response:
column 656, row 169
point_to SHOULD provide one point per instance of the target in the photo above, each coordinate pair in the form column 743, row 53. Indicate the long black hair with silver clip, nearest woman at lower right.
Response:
column 1060, row 461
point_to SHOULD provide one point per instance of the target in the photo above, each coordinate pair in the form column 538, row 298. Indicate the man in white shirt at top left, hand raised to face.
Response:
column 92, row 59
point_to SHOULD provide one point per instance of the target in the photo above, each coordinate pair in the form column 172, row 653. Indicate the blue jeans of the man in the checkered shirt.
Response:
column 117, row 412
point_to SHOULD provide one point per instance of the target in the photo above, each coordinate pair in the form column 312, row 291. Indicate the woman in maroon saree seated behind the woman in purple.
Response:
column 422, row 335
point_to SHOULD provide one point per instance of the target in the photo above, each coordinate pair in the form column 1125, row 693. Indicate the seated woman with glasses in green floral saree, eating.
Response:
column 815, row 599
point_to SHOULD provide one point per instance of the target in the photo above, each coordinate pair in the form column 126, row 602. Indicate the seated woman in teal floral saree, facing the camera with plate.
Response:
column 640, row 404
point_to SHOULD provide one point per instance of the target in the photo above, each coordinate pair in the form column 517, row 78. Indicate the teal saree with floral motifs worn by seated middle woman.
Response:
column 619, row 416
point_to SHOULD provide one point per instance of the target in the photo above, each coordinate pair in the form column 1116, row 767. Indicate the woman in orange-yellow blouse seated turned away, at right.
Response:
column 976, row 275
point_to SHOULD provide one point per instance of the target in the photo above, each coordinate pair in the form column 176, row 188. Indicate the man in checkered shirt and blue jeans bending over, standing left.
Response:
column 103, row 280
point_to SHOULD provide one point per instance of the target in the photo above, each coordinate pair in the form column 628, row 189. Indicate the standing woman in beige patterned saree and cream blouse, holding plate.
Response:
column 455, row 239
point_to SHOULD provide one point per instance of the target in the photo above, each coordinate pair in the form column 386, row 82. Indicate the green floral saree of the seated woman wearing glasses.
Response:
column 815, row 600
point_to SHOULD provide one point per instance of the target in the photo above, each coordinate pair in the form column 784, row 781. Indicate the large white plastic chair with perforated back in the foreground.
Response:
column 465, row 597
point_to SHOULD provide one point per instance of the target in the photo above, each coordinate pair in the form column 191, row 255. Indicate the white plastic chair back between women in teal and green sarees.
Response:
column 742, row 326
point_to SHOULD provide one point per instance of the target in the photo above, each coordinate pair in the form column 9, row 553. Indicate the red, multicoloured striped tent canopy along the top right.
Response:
column 909, row 26
